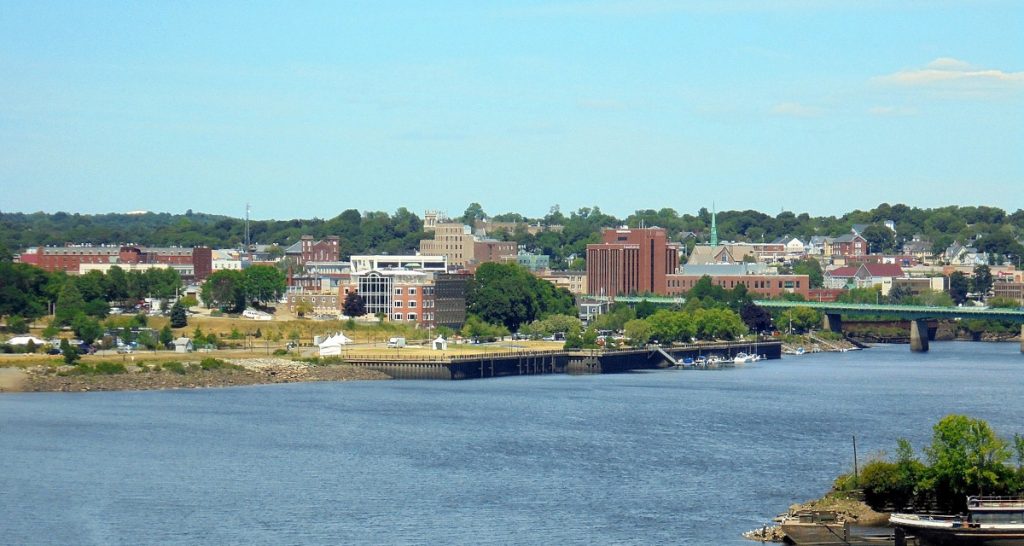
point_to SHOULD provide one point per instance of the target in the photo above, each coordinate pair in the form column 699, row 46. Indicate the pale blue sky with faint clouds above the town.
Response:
column 306, row 109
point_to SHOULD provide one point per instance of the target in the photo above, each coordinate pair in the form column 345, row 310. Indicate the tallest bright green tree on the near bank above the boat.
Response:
column 966, row 458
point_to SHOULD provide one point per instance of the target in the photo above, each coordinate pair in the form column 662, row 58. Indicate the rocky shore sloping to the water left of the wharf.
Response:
column 189, row 375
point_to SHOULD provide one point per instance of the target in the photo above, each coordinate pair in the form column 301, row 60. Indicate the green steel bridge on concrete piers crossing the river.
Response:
column 917, row 315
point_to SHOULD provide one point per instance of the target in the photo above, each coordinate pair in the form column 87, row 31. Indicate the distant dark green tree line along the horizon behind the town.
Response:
column 993, row 230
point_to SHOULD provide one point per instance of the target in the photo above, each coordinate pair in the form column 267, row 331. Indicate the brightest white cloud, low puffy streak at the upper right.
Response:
column 949, row 72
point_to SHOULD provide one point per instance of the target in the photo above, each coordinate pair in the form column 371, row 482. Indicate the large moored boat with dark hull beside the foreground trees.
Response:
column 991, row 522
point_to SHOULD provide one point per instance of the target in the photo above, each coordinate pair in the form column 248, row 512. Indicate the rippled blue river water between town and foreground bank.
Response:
column 648, row 458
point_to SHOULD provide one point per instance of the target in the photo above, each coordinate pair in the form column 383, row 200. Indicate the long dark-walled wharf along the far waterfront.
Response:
column 504, row 364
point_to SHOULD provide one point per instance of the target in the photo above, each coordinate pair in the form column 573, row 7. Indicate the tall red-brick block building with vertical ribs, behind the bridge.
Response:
column 631, row 262
